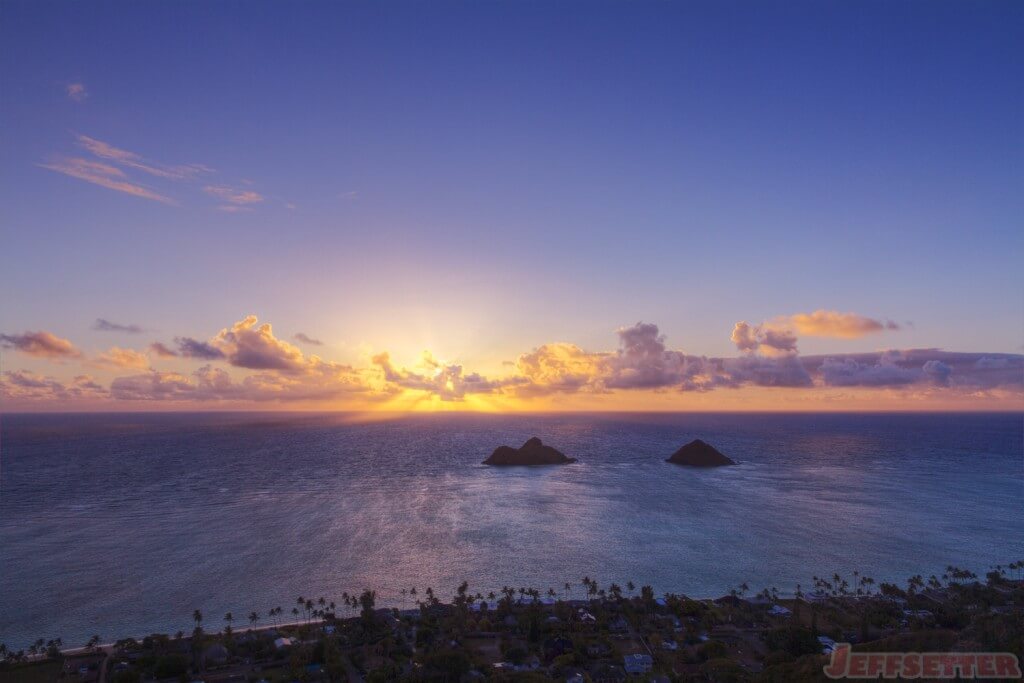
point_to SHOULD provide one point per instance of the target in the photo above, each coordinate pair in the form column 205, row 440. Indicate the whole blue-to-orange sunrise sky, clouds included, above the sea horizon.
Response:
column 511, row 206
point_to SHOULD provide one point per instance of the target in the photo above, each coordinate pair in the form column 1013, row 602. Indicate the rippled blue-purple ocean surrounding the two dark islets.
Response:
column 123, row 525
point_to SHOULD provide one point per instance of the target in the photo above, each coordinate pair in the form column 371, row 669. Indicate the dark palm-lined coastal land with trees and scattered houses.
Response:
column 585, row 629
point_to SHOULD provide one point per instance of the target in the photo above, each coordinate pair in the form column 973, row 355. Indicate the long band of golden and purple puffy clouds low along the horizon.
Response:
column 246, row 362
